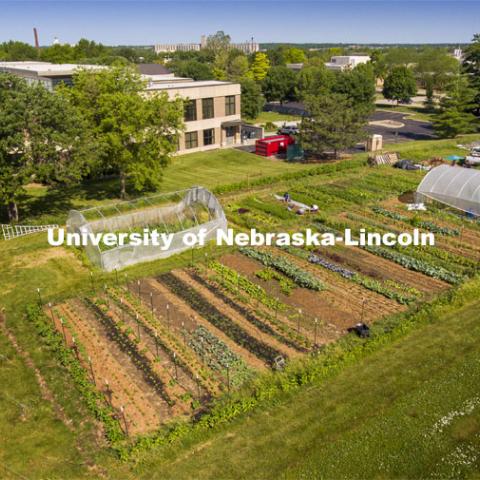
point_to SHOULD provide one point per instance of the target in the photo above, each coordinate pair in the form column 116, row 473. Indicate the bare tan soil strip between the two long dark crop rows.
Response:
column 235, row 316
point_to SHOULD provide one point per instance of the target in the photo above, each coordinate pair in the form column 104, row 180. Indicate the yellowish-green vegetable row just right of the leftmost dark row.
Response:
column 175, row 349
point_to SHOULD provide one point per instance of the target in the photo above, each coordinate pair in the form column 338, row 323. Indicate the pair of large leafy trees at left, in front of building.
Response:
column 103, row 124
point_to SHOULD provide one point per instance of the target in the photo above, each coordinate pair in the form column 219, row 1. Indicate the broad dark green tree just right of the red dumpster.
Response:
column 334, row 123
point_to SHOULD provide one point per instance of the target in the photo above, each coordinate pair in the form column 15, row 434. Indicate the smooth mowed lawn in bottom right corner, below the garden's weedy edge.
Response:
column 378, row 418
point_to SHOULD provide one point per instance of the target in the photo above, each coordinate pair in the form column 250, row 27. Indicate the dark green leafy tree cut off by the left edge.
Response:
column 41, row 138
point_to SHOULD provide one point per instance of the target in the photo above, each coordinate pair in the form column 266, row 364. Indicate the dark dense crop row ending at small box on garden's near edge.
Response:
column 219, row 320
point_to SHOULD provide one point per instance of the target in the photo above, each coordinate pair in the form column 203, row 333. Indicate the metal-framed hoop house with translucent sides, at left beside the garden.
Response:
column 173, row 214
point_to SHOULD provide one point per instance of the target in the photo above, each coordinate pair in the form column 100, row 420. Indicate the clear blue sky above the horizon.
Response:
column 149, row 22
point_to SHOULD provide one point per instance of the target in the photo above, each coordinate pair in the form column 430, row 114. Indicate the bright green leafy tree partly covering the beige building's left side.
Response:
column 137, row 134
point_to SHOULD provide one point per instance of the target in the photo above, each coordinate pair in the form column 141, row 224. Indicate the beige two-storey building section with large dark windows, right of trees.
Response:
column 211, row 112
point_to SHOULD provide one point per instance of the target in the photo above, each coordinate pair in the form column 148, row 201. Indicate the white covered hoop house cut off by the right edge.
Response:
column 457, row 187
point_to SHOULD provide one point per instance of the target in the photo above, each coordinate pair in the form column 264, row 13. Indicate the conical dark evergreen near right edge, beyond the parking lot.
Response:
column 455, row 115
